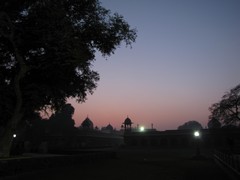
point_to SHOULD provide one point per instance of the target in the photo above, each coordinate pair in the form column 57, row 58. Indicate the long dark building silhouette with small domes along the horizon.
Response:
column 86, row 136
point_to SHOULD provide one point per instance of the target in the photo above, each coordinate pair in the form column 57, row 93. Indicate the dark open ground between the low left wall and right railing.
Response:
column 144, row 164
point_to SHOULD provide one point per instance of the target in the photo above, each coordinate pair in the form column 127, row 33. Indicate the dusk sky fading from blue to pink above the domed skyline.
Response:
column 186, row 56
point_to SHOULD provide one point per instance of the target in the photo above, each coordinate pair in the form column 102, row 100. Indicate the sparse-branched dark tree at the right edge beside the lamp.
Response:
column 227, row 110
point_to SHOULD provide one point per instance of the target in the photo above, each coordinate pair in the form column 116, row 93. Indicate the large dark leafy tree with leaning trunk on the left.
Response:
column 47, row 48
